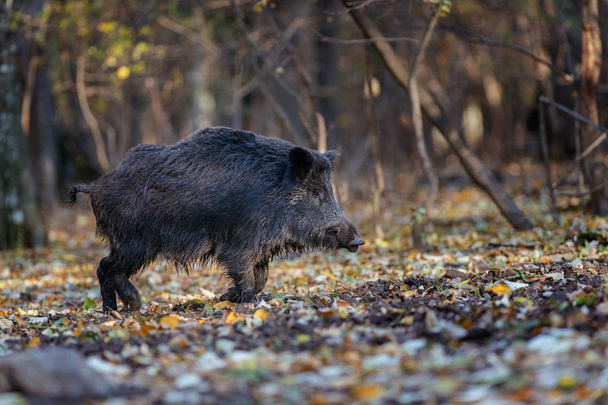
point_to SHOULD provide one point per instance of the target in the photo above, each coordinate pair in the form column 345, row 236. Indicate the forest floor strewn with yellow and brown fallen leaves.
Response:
column 487, row 316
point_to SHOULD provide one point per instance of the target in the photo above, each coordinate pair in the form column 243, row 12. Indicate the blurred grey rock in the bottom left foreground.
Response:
column 52, row 373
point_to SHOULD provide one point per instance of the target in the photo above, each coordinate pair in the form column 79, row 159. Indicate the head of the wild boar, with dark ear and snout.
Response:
column 315, row 218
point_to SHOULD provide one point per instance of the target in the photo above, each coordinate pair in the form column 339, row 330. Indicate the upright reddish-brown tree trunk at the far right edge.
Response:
column 590, row 74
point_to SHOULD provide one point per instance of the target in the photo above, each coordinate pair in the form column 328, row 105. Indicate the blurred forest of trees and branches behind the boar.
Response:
column 83, row 81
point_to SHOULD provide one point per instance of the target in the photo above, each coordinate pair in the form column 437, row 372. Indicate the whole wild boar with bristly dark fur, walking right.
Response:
column 223, row 195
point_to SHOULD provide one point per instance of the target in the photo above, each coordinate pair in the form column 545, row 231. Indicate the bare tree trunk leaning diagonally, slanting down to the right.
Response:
column 477, row 170
